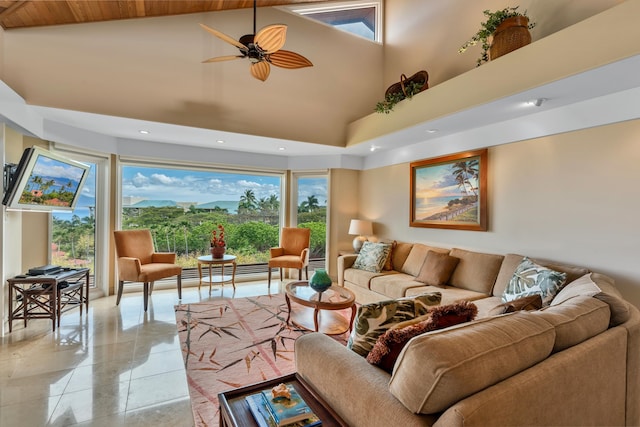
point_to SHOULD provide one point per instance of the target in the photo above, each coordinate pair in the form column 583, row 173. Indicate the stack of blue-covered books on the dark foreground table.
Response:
column 281, row 412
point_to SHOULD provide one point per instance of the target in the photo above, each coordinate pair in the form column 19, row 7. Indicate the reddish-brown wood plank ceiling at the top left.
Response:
column 33, row 13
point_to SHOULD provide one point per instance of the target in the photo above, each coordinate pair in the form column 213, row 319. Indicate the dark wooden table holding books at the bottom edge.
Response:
column 234, row 410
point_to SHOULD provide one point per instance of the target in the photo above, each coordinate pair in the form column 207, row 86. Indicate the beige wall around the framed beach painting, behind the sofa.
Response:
column 570, row 198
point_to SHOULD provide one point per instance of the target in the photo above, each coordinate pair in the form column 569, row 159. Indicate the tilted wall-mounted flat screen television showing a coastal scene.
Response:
column 45, row 181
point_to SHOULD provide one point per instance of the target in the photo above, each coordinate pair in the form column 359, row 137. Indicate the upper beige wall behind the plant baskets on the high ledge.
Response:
column 429, row 40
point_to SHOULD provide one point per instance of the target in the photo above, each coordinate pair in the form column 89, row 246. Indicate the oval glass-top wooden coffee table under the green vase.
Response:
column 320, row 311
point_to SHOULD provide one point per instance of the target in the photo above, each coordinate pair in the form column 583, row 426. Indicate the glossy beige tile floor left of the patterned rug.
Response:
column 116, row 366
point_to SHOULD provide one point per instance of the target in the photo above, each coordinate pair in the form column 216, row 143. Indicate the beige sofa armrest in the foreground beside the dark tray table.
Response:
column 352, row 386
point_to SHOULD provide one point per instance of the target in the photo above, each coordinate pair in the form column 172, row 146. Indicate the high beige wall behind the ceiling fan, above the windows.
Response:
column 151, row 69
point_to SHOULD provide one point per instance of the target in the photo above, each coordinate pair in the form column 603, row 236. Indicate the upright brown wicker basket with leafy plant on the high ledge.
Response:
column 509, row 30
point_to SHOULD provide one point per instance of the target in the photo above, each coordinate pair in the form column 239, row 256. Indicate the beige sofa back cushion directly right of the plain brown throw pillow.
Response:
column 476, row 271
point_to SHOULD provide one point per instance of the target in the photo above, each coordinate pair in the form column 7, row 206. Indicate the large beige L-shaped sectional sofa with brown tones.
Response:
column 574, row 362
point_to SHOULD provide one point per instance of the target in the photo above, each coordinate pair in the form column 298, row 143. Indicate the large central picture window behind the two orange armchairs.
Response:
column 181, row 207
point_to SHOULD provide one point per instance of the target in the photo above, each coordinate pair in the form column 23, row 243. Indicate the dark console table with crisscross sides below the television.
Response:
column 47, row 296
